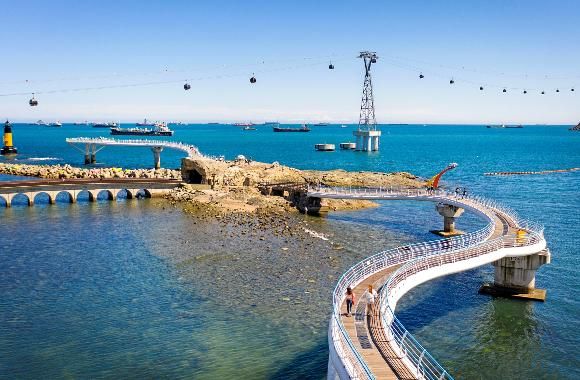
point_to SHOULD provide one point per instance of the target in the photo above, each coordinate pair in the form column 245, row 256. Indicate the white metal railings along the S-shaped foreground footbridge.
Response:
column 437, row 252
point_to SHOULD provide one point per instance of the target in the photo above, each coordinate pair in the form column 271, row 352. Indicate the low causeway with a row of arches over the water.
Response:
column 132, row 187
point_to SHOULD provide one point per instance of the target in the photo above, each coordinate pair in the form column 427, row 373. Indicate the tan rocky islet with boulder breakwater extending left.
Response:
column 235, row 185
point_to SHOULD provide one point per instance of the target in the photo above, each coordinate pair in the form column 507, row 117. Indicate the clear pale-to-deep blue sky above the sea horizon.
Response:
column 58, row 45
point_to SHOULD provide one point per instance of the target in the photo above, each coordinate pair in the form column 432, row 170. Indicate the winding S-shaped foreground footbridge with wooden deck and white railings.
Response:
column 378, row 346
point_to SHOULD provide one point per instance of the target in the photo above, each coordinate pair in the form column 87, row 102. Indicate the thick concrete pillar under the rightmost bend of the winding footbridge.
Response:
column 516, row 277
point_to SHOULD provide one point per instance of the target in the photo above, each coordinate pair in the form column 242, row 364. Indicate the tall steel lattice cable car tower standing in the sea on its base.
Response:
column 367, row 135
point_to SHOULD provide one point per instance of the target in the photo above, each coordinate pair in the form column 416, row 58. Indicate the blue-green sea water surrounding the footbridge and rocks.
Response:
column 138, row 289
